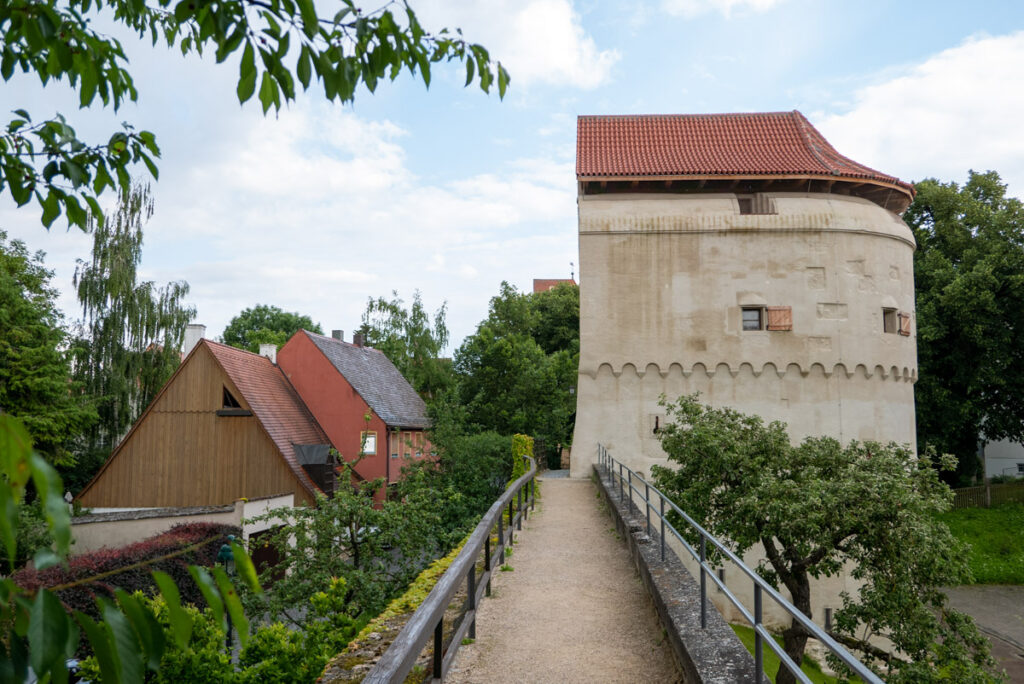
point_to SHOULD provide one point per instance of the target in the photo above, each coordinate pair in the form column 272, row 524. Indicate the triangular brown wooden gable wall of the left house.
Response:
column 181, row 453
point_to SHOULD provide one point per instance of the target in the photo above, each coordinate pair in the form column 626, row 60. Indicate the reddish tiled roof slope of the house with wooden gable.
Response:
column 275, row 403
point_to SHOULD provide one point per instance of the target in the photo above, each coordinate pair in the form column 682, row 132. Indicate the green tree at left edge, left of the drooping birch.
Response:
column 35, row 375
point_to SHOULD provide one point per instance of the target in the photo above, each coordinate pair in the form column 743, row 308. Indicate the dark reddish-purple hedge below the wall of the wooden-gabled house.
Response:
column 173, row 552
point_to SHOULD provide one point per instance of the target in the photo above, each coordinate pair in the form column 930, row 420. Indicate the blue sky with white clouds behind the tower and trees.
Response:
column 450, row 191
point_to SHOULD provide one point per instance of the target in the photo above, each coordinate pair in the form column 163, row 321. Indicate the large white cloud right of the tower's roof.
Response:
column 960, row 110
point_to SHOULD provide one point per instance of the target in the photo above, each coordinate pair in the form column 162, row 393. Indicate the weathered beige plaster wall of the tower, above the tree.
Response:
column 664, row 279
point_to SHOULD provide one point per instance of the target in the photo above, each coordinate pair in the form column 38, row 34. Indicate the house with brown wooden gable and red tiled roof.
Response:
column 227, row 426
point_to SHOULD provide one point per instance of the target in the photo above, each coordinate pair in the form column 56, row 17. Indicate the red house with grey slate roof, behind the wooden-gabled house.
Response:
column 370, row 413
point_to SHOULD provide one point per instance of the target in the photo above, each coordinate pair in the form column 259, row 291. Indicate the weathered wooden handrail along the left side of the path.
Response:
column 429, row 620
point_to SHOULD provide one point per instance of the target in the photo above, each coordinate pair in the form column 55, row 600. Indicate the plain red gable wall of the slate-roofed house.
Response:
column 335, row 405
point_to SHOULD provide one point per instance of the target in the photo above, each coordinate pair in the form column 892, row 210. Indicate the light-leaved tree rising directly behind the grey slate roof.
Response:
column 410, row 341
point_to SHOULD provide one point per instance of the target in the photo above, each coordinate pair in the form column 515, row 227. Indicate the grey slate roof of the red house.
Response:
column 377, row 381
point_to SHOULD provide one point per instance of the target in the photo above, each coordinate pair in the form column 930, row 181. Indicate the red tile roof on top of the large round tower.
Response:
column 776, row 144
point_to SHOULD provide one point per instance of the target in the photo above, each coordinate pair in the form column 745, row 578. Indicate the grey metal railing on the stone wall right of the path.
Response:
column 624, row 479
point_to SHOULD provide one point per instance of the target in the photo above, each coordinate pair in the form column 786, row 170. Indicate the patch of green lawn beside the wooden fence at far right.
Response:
column 997, row 540
